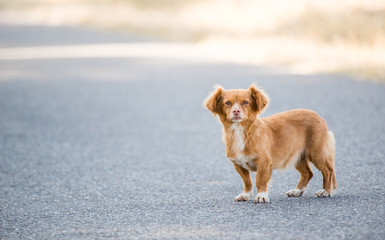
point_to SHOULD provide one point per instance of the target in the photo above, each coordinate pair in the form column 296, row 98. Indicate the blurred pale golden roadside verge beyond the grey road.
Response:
column 303, row 36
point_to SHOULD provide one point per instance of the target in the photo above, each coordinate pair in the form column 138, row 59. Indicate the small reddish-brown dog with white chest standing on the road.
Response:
column 292, row 138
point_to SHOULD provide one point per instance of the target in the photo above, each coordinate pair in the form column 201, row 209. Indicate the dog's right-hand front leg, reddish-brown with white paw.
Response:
column 264, row 172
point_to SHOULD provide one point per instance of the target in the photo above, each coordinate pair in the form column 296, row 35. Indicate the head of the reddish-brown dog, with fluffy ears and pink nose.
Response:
column 237, row 105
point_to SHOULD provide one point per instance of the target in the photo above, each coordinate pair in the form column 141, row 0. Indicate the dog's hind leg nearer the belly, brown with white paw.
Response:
column 304, row 169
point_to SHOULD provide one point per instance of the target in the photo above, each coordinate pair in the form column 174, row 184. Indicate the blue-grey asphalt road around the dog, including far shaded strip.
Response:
column 121, row 148
